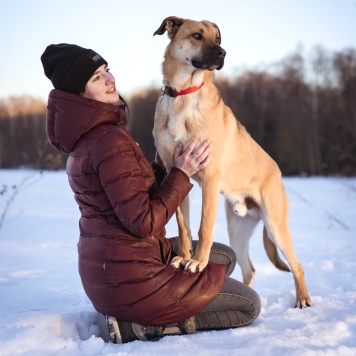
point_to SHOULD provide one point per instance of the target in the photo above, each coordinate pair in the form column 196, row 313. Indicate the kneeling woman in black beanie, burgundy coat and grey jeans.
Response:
column 125, row 203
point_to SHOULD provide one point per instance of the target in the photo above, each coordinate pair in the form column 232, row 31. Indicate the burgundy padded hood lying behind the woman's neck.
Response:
column 69, row 116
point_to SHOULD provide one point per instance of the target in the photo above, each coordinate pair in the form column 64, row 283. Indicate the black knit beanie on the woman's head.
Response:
column 69, row 67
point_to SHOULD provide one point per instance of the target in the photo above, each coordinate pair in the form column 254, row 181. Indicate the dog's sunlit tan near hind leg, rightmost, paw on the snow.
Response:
column 275, row 215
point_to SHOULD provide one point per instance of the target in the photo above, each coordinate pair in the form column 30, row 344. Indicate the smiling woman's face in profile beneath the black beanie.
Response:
column 101, row 86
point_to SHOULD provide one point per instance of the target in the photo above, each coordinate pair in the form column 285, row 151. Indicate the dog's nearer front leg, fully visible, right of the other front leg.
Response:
column 210, row 200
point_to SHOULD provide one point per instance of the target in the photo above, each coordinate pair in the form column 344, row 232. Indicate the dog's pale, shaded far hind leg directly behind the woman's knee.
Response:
column 240, row 230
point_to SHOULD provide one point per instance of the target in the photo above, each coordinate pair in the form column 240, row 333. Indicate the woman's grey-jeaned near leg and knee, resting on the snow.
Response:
column 236, row 305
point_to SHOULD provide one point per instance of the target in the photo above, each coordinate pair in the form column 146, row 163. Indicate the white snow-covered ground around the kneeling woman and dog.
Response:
column 44, row 311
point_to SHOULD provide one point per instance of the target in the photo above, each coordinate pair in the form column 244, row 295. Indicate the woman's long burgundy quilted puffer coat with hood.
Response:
column 123, row 253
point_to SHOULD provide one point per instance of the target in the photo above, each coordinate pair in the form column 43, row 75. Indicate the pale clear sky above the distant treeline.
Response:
column 255, row 33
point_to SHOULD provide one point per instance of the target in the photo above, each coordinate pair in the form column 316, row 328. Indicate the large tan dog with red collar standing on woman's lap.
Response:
column 240, row 169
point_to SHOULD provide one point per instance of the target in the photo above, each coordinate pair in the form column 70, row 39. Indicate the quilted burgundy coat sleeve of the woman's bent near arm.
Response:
column 121, row 176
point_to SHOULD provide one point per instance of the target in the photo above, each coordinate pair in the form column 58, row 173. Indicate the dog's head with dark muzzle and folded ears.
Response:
column 194, row 42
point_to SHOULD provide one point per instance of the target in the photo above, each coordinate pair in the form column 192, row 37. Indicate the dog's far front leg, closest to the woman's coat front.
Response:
column 185, row 236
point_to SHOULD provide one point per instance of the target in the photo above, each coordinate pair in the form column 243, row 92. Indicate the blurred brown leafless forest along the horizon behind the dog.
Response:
column 302, row 111
